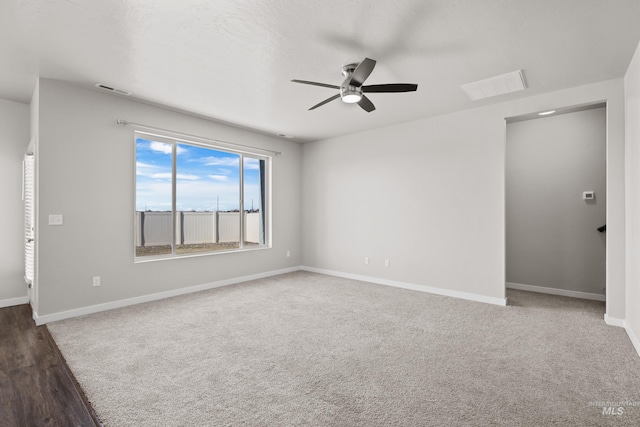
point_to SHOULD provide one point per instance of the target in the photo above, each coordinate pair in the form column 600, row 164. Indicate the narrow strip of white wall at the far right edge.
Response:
column 632, row 104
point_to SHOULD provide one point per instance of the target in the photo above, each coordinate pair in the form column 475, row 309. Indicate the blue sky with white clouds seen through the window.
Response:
column 206, row 178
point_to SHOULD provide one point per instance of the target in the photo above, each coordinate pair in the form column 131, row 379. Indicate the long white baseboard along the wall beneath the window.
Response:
column 47, row 318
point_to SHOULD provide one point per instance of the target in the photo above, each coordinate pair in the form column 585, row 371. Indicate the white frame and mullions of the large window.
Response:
column 243, row 154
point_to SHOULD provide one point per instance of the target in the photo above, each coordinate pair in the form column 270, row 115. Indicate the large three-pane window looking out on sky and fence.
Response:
column 193, row 199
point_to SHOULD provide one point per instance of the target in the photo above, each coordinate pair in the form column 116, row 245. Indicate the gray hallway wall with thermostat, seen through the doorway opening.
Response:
column 552, row 237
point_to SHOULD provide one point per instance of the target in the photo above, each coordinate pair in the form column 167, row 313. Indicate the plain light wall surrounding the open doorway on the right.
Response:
column 430, row 196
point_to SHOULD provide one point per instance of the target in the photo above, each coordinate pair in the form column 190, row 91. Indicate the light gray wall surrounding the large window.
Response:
column 86, row 173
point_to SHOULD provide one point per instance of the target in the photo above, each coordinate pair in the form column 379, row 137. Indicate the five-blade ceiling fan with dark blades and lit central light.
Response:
column 352, row 90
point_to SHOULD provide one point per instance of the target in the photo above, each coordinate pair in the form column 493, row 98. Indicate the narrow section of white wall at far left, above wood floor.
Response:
column 14, row 138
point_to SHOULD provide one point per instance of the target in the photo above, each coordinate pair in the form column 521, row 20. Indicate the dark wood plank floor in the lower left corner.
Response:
column 36, row 386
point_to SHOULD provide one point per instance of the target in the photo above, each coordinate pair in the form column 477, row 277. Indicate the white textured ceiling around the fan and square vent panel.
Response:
column 232, row 60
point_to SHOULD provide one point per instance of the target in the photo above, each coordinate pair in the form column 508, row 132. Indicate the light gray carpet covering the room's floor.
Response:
column 313, row 350
